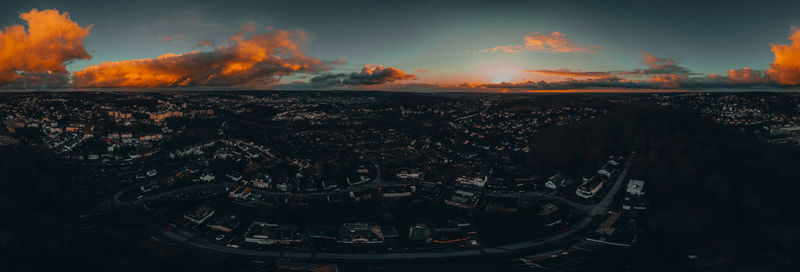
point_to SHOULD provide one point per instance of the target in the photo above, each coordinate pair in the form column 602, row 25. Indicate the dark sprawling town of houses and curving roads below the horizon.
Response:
column 319, row 178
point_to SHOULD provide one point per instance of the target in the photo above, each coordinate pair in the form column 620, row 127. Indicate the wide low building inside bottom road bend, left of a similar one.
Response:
column 264, row 233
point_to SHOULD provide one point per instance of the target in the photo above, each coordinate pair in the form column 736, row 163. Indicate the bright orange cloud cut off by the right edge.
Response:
column 785, row 69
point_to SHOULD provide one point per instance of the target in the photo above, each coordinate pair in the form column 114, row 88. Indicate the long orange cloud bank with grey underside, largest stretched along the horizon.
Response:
column 249, row 59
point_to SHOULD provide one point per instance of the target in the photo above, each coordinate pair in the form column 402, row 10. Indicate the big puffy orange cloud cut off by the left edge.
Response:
column 39, row 52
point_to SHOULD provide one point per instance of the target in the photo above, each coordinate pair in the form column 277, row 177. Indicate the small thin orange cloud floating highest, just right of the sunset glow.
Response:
column 555, row 42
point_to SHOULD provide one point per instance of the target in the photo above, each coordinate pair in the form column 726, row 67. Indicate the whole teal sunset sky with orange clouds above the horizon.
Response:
column 403, row 45
